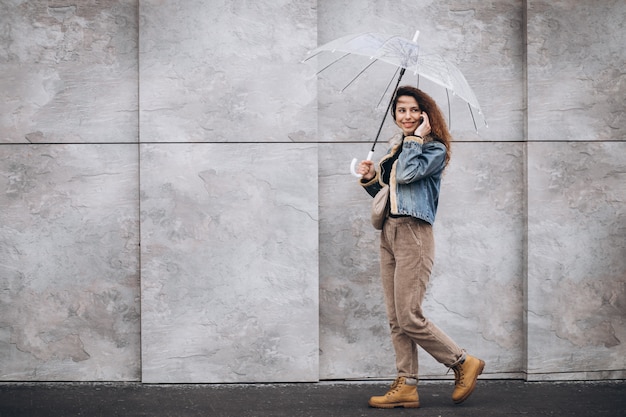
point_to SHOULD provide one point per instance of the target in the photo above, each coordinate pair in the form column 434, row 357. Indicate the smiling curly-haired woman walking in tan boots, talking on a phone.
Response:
column 413, row 168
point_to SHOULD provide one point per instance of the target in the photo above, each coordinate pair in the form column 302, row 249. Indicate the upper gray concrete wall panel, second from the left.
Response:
column 226, row 71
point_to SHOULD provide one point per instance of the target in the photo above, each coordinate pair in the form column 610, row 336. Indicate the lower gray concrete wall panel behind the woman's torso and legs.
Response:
column 476, row 292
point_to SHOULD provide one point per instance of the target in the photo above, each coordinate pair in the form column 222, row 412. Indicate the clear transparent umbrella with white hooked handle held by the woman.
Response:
column 405, row 54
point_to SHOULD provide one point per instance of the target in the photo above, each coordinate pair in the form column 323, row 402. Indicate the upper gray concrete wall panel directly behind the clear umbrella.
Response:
column 483, row 38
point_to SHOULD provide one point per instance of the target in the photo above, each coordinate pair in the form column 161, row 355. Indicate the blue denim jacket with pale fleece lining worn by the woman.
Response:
column 414, row 177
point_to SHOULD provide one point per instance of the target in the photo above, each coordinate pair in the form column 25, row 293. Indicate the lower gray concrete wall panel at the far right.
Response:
column 576, row 258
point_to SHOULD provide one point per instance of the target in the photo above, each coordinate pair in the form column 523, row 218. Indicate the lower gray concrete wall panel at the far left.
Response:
column 69, row 270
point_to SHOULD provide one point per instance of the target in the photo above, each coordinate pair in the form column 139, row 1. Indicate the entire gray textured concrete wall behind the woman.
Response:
column 176, row 204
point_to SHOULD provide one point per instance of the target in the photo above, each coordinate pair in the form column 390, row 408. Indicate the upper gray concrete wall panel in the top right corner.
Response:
column 576, row 85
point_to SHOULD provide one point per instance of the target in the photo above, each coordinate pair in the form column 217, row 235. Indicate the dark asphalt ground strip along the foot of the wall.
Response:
column 325, row 399
